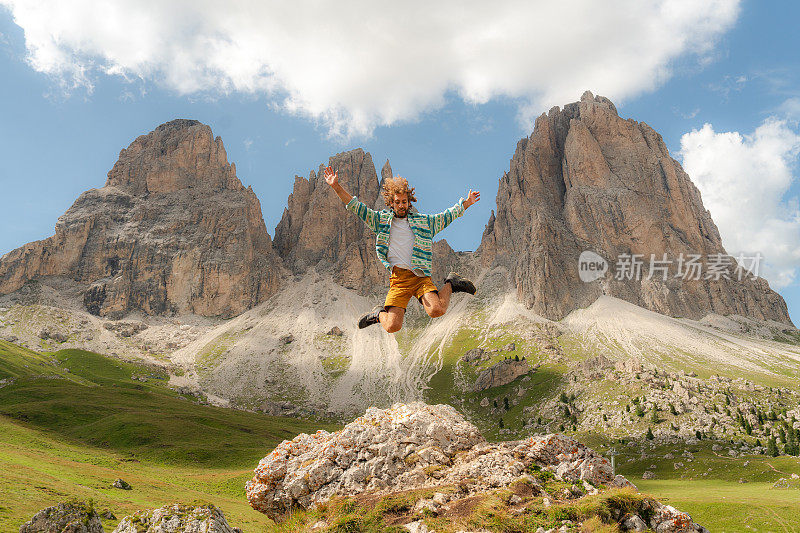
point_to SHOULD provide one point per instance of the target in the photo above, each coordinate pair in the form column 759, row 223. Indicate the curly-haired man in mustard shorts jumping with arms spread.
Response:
column 404, row 241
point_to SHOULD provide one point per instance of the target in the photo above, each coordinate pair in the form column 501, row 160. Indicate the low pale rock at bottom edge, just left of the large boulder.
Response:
column 177, row 518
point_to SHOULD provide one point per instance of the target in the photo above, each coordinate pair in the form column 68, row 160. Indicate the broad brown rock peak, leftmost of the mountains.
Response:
column 172, row 230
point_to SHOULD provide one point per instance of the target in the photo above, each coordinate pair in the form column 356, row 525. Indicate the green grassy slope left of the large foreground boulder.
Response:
column 71, row 422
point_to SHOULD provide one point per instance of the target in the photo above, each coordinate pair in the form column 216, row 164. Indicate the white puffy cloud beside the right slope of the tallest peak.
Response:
column 745, row 181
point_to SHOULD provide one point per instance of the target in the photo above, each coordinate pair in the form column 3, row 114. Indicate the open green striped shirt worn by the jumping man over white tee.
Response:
column 424, row 228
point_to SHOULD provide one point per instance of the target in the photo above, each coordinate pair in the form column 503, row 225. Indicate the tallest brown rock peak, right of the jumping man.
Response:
column 587, row 179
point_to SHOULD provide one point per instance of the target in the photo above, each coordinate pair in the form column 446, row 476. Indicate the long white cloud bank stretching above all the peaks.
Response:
column 360, row 64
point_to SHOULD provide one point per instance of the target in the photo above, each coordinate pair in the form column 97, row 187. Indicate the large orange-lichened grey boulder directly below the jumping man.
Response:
column 405, row 447
